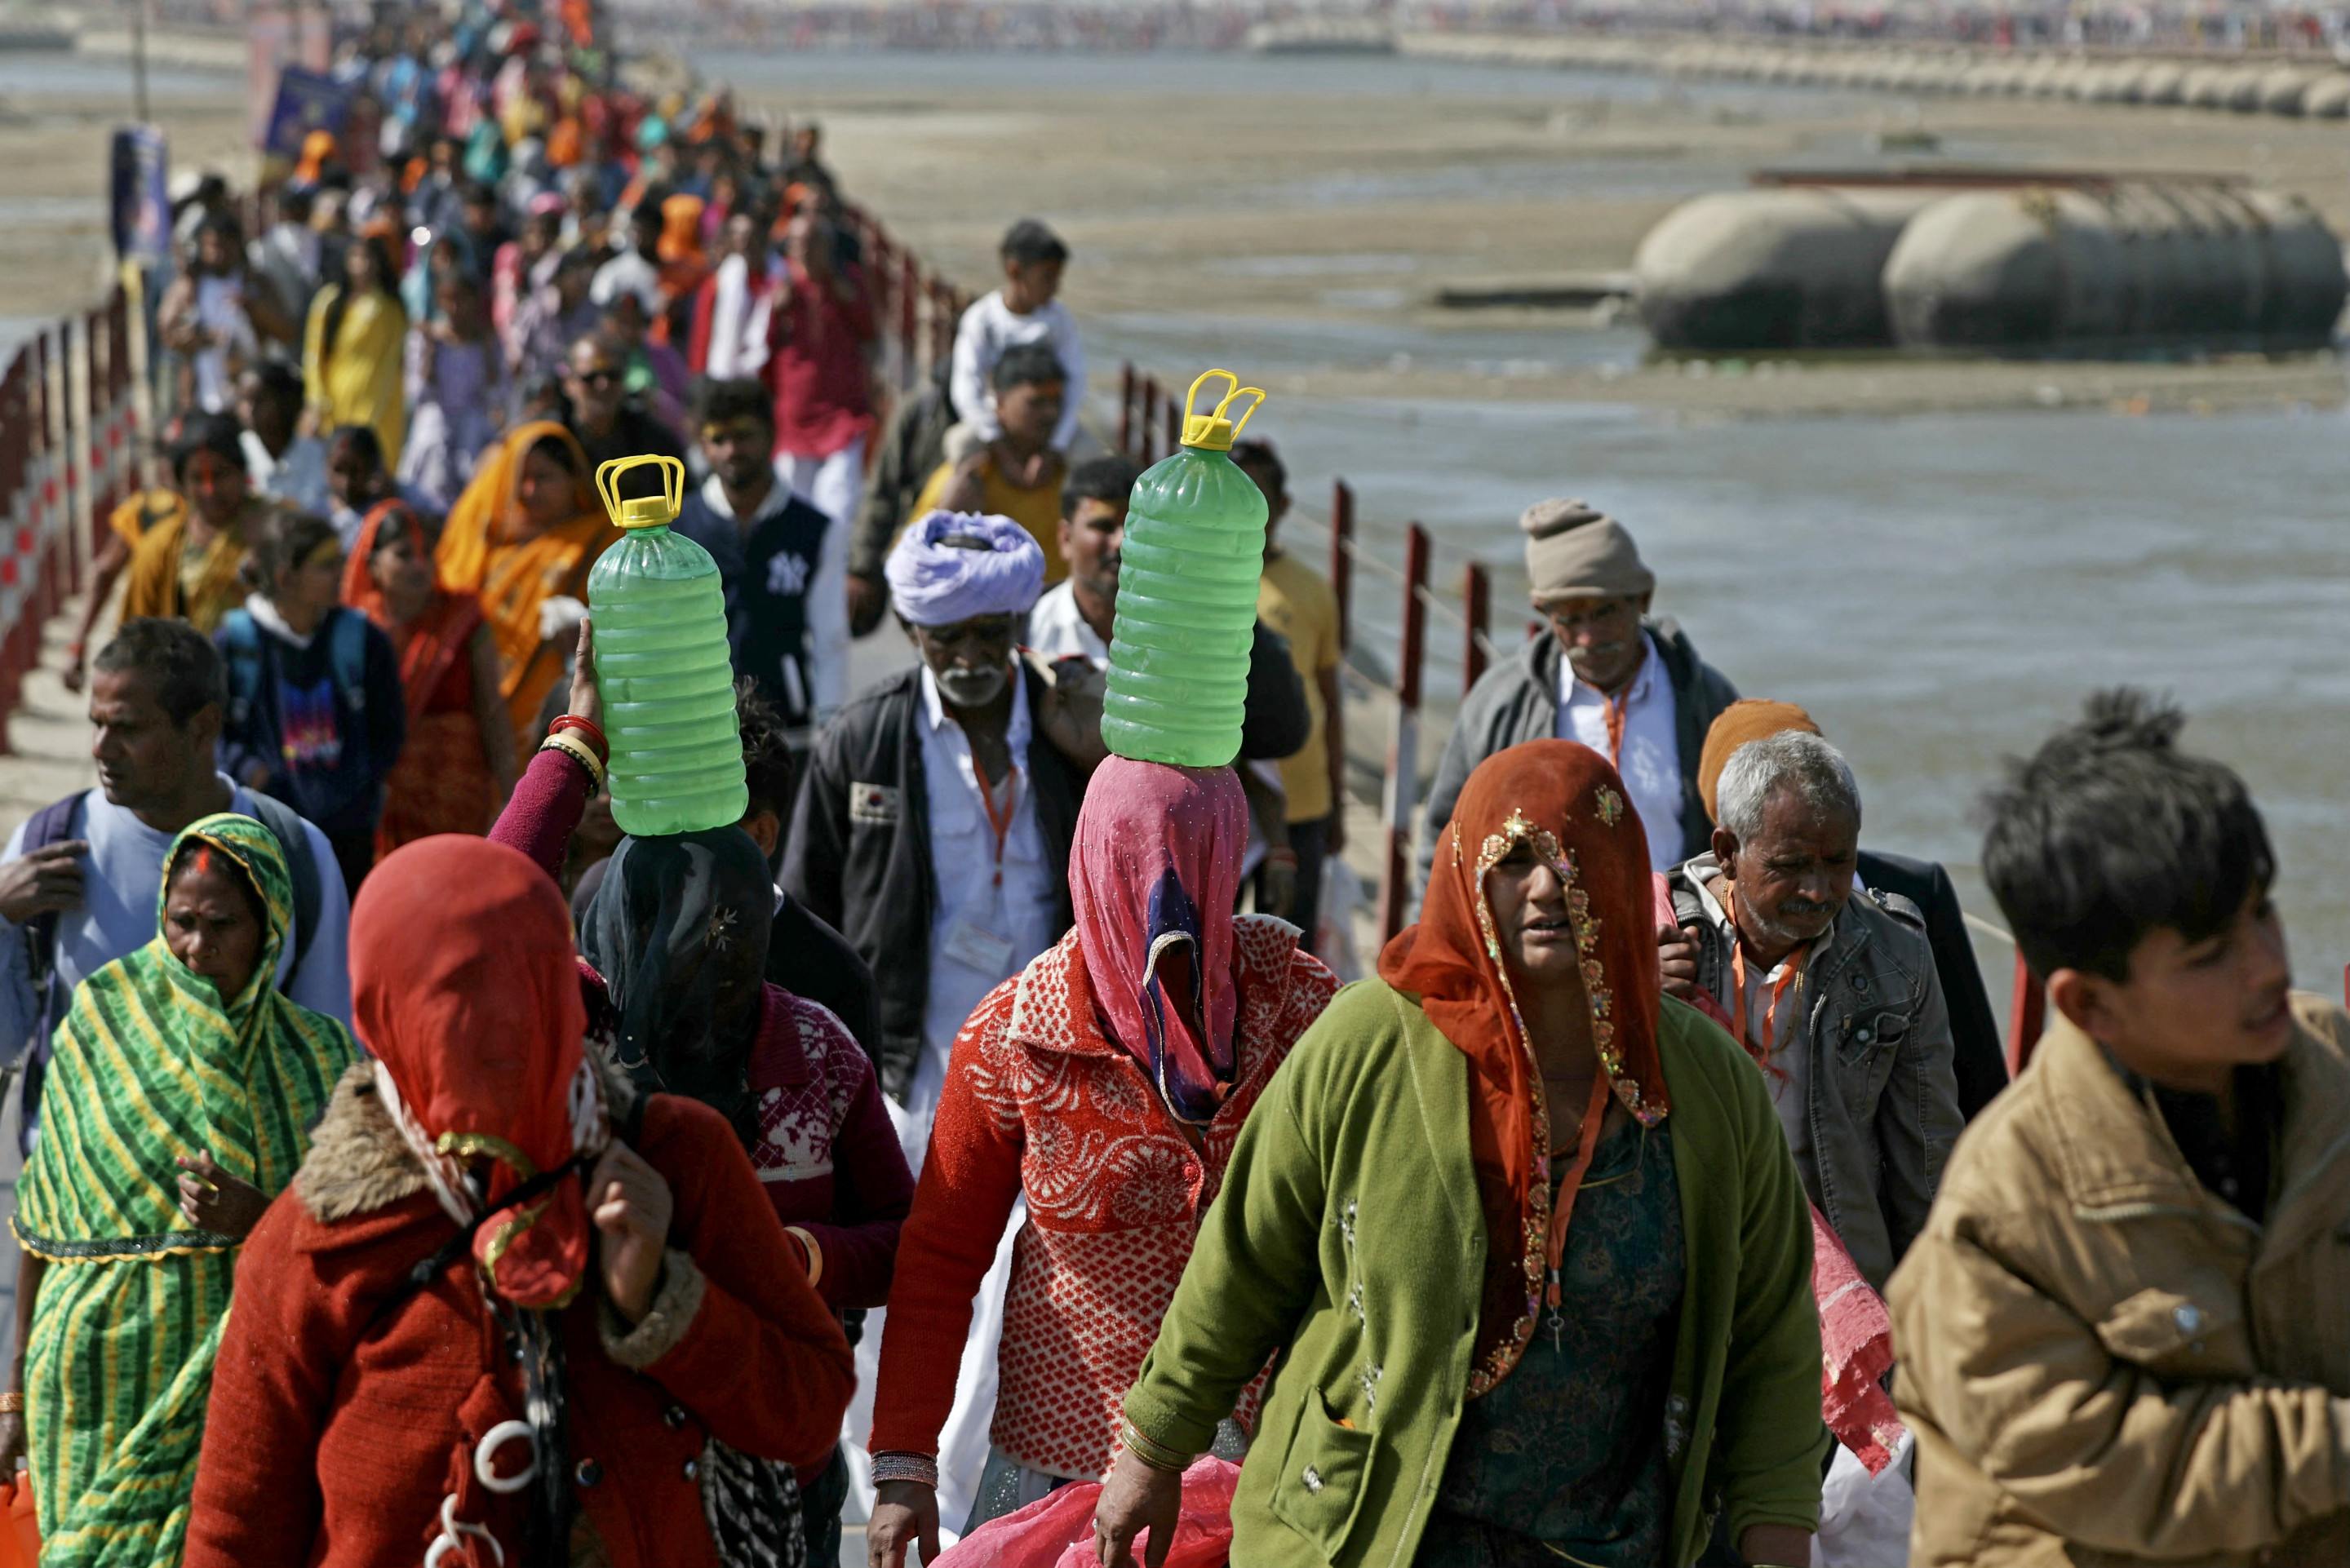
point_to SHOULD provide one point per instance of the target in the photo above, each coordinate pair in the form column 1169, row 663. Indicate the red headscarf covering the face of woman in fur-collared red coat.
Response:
column 466, row 989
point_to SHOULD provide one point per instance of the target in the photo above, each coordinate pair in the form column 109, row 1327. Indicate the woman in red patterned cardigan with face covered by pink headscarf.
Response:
column 1106, row 1085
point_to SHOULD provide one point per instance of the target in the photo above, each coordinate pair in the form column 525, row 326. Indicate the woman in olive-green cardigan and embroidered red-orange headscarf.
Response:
column 1522, row 1231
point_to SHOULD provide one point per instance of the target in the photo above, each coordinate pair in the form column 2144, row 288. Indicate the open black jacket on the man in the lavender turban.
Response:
column 861, row 847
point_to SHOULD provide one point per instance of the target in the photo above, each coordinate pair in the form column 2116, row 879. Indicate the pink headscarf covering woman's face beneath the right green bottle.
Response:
column 1153, row 878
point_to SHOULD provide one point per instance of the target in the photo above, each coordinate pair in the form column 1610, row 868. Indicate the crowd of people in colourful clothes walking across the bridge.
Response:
column 417, row 1165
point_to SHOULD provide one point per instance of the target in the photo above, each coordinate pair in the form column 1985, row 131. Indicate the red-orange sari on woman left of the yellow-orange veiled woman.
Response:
column 443, row 779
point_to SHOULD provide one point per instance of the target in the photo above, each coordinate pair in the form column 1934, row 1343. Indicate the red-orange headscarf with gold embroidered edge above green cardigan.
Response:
column 1569, row 808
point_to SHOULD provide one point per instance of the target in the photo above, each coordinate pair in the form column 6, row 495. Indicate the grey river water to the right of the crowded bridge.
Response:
column 1940, row 591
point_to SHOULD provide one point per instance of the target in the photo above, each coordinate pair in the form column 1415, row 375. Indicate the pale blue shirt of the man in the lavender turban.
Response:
column 983, row 932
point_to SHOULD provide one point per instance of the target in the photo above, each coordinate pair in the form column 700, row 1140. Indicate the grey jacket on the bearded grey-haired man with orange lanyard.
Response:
column 1881, row 1087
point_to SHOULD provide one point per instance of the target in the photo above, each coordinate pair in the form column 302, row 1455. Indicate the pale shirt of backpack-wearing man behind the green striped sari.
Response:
column 121, row 890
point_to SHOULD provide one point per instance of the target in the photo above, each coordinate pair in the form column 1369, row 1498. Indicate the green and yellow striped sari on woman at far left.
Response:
column 152, row 1066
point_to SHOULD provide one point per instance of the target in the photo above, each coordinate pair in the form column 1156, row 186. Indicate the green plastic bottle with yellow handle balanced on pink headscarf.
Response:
column 1188, row 596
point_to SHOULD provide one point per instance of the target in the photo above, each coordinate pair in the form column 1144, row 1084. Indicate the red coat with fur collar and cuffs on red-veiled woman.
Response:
column 335, row 1438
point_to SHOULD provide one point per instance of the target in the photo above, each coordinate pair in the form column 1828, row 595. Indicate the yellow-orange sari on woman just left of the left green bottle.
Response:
column 483, row 554
